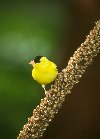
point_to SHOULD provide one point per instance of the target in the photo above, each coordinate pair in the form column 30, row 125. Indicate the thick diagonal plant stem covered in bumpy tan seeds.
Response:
column 49, row 106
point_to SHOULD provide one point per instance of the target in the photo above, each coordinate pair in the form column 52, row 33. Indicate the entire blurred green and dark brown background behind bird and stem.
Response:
column 54, row 29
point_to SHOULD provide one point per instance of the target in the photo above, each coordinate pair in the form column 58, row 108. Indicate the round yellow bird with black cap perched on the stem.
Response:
column 44, row 71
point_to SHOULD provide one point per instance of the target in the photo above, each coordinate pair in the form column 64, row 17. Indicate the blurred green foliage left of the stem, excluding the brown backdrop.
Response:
column 26, row 30
